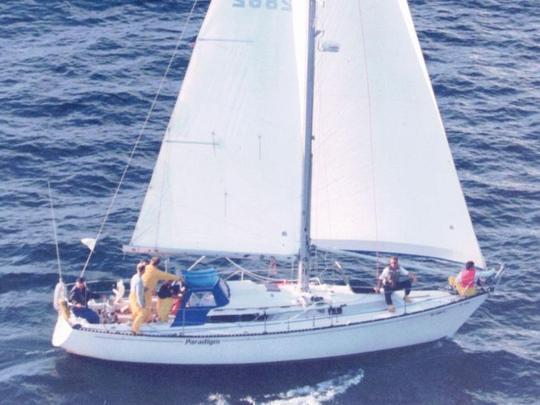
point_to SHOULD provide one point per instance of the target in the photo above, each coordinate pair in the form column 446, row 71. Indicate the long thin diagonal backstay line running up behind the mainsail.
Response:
column 135, row 146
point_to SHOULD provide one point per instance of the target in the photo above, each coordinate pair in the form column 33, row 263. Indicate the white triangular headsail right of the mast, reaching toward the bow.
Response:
column 383, row 176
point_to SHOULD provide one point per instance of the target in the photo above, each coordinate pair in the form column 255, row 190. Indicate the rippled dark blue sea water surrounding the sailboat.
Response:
column 76, row 81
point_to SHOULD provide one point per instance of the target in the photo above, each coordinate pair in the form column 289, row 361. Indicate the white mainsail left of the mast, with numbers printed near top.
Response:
column 228, row 176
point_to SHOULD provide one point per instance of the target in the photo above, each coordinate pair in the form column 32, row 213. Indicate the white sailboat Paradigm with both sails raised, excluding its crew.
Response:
column 301, row 125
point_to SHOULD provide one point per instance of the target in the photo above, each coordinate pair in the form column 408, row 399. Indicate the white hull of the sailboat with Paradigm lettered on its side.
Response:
column 342, row 339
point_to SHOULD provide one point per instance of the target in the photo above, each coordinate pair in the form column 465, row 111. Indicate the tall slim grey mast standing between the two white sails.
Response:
column 304, row 253
